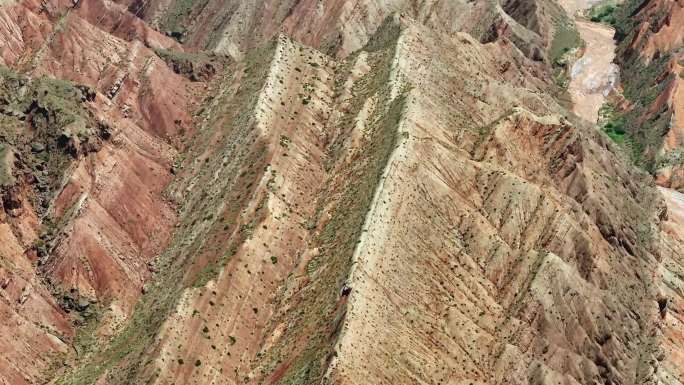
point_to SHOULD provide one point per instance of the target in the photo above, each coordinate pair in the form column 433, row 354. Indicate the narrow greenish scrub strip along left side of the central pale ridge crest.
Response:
column 319, row 317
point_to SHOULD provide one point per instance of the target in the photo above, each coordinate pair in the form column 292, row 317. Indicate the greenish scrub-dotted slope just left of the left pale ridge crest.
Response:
column 192, row 260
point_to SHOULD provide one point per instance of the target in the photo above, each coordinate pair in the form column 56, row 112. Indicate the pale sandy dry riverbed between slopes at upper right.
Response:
column 594, row 75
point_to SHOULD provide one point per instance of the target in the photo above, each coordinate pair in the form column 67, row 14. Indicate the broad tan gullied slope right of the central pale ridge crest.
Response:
column 486, row 296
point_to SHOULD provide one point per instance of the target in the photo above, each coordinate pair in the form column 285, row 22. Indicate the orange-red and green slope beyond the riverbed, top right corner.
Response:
column 650, row 55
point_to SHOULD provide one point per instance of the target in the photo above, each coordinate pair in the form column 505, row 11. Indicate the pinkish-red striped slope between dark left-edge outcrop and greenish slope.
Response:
column 134, row 163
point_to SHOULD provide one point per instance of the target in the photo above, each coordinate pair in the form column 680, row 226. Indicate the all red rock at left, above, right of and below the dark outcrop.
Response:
column 111, row 208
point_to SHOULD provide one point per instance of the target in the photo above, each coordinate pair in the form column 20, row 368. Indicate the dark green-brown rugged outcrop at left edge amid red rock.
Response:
column 46, row 125
